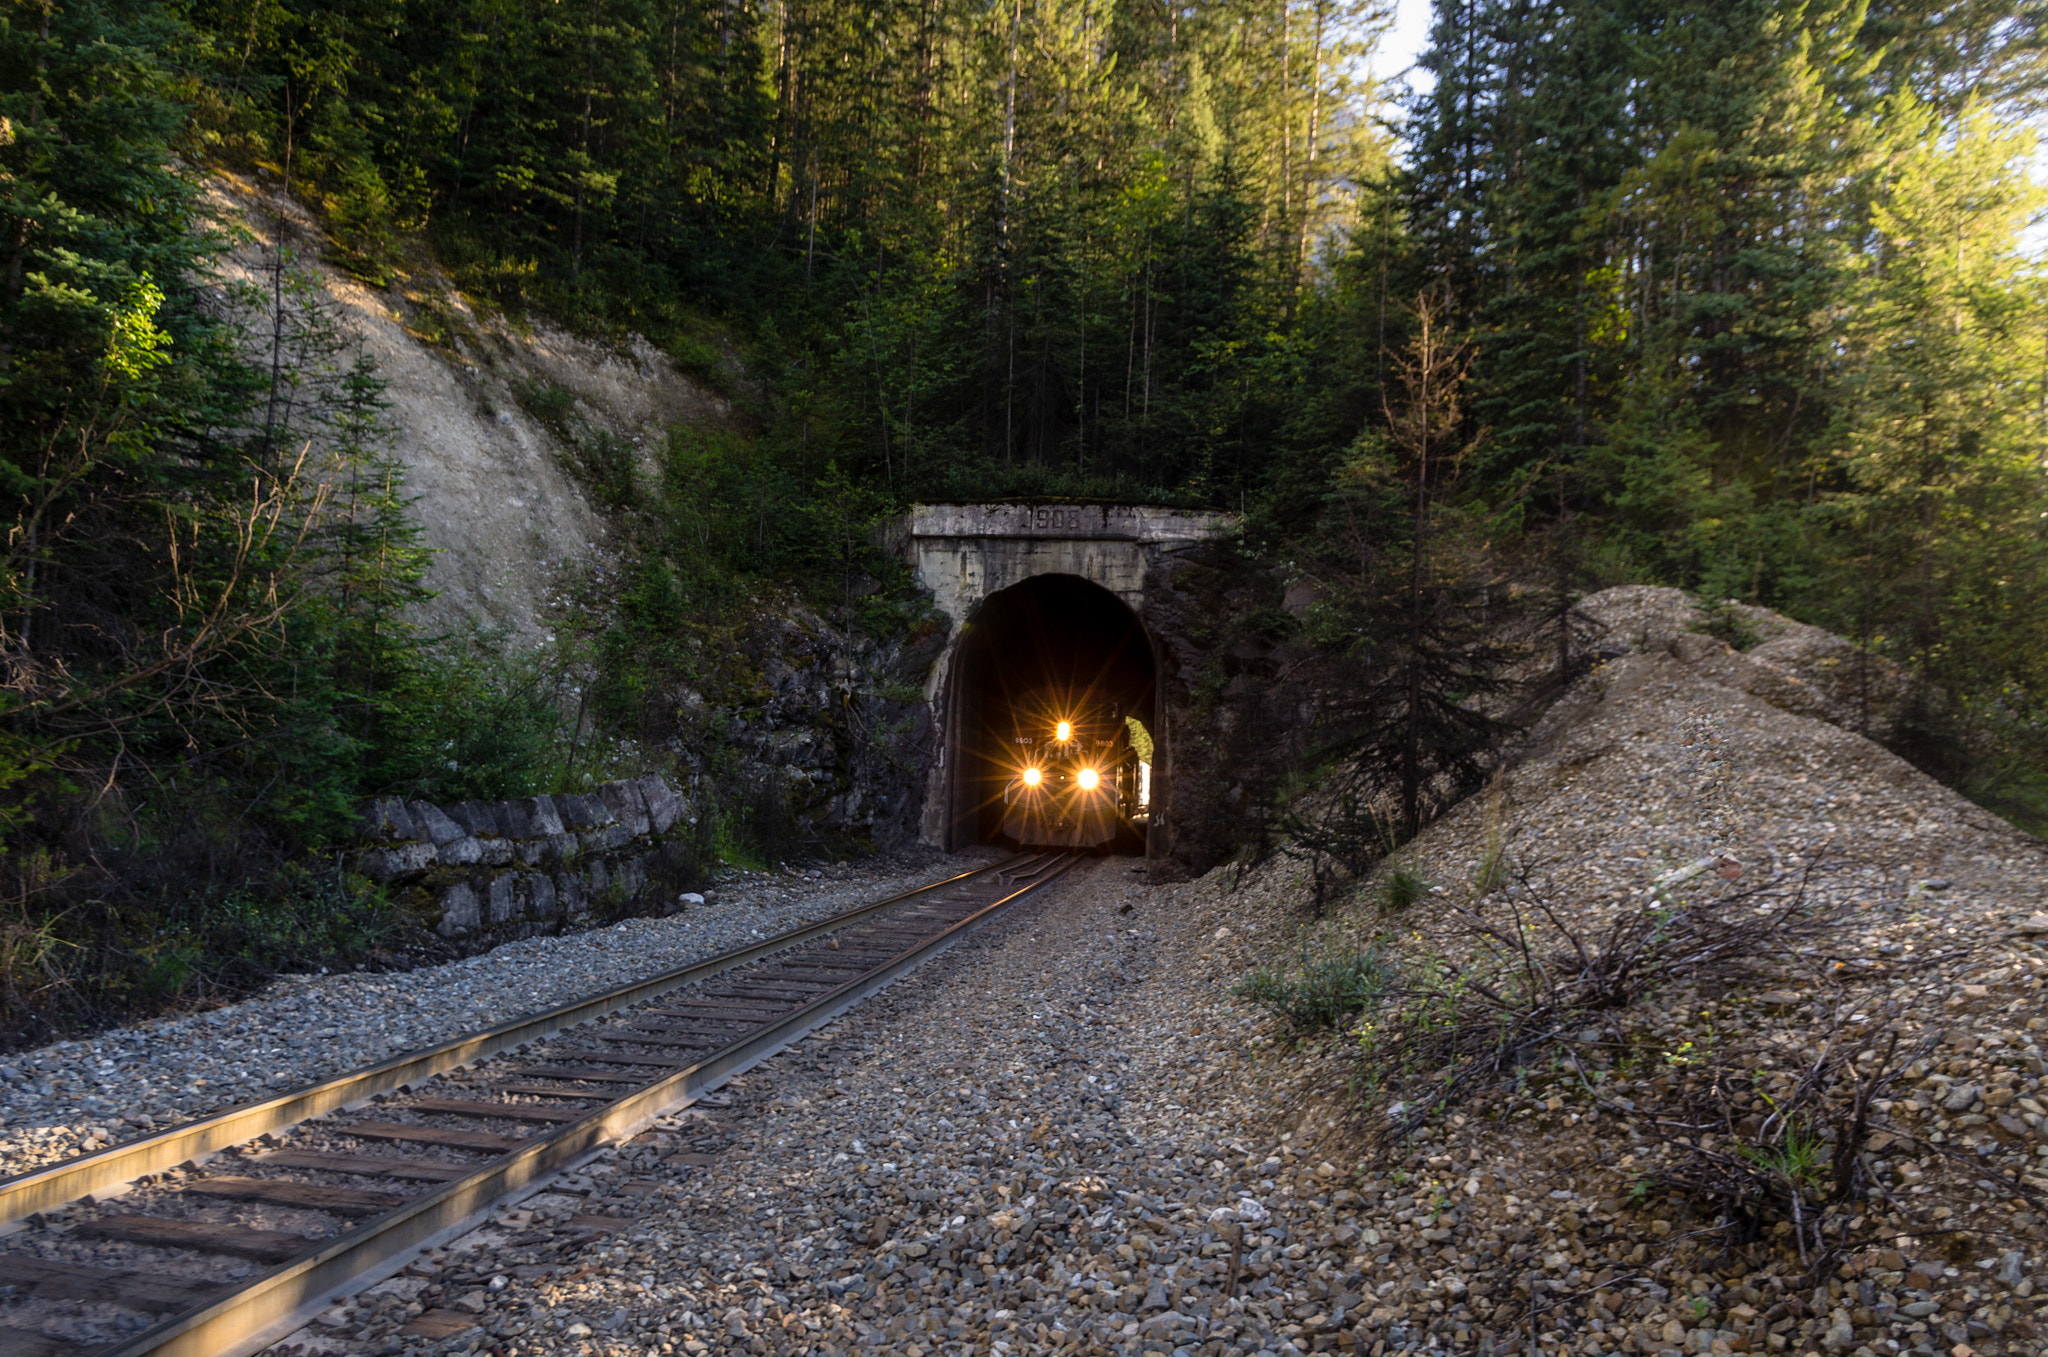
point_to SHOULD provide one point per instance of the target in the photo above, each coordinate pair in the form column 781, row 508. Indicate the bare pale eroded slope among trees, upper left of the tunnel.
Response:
column 482, row 414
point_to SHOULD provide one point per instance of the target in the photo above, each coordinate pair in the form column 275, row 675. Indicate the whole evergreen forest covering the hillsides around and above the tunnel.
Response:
column 1736, row 298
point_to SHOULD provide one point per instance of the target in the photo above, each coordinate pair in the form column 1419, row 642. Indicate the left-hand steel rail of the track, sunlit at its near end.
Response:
column 60, row 1184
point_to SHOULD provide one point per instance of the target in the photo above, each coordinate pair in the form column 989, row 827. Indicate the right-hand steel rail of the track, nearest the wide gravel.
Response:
column 282, row 1301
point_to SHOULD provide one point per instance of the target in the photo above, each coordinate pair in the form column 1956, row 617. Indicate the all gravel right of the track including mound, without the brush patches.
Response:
column 1048, row 1141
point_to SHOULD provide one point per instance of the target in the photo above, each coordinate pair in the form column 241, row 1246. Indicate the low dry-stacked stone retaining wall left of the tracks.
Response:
column 511, row 869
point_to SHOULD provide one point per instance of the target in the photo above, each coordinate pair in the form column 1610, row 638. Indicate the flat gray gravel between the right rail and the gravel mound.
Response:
column 1021, row 1147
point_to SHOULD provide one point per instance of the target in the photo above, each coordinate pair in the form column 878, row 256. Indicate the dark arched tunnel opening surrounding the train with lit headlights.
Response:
column 1052, row 642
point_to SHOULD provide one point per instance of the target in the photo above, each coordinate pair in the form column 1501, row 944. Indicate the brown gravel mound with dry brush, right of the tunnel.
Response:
column 1711, row 1028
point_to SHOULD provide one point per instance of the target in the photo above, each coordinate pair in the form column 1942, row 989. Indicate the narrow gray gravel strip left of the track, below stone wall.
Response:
column 75, row 1096
